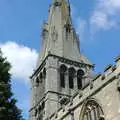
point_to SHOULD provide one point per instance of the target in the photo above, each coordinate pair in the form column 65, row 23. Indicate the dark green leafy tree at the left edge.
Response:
column 8, row 108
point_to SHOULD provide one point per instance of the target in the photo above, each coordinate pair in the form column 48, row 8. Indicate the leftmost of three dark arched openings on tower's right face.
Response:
column 63, row 69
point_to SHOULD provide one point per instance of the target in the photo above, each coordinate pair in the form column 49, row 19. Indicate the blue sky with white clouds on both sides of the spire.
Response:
column 96, row 21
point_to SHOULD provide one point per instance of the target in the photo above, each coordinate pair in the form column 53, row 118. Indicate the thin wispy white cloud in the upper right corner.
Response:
column 105, row 15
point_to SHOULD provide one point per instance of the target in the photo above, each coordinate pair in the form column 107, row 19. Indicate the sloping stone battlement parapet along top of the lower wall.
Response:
column 111, row 73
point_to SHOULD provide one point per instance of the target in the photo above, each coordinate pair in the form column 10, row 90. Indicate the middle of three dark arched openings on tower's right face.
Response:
column 71, row 72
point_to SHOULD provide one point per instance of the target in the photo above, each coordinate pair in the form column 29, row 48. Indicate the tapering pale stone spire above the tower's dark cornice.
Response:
column 59, row 36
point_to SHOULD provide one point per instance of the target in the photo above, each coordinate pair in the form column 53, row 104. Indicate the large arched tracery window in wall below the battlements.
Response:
column 92, row 111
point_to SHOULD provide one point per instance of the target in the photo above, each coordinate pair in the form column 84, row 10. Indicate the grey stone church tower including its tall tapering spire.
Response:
column 61, row 68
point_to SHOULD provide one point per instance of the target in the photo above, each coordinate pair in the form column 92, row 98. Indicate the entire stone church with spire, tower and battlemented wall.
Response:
column 63, row 86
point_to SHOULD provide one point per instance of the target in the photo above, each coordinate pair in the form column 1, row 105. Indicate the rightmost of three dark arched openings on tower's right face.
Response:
column 80, row 75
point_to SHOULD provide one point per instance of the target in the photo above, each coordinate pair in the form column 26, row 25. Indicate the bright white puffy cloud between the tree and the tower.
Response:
column 22, row 59
